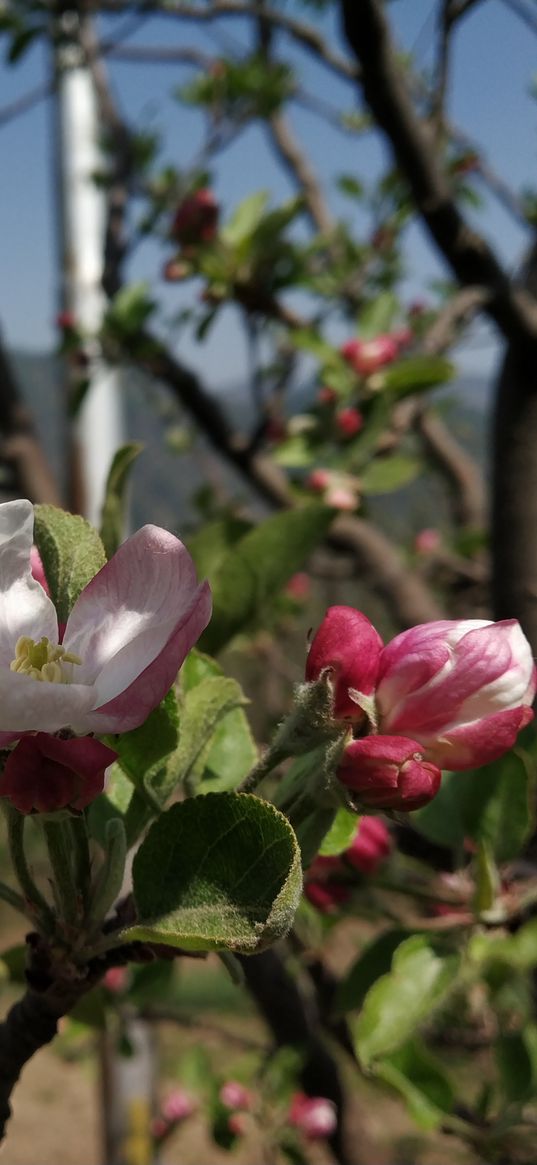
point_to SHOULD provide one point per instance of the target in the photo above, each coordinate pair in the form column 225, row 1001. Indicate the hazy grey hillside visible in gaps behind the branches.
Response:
column 165, row 481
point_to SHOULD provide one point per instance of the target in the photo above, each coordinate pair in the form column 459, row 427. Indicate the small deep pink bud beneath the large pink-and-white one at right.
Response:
column 390, row 773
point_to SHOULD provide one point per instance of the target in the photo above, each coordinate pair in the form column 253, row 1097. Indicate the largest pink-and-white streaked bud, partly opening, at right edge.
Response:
column 461, row 688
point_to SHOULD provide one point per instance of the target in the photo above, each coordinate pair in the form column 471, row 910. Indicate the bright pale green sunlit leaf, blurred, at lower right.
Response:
column 398, row 1004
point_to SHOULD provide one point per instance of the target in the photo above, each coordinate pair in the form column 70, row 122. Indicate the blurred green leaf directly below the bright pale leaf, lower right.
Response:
column 420, row 1078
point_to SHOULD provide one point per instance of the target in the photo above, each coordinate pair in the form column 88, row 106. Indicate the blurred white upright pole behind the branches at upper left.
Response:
column 101, row 425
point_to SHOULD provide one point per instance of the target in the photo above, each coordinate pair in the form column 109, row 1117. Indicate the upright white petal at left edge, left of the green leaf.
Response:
column 25, row 608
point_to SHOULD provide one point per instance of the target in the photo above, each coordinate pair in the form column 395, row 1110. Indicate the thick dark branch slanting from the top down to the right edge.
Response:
column 465, row 251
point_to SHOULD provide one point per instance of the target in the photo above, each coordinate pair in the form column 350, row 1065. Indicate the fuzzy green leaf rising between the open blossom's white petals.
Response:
column 72, row 553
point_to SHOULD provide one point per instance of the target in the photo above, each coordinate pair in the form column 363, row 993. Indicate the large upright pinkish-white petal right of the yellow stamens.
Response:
column 132, row 610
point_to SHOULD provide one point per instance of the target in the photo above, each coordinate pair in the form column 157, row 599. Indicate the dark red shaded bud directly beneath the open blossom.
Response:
column 47, row 774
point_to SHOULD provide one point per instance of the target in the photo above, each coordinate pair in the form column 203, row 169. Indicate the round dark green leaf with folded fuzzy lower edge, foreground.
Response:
column 229, row 875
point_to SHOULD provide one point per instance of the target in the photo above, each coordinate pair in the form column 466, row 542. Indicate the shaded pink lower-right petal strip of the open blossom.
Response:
column 130, row 709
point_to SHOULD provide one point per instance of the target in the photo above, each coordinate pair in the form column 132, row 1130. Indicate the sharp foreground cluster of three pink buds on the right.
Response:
column 448, row 695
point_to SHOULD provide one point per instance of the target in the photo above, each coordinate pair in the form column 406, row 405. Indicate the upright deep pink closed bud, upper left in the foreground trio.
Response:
column 348, row 645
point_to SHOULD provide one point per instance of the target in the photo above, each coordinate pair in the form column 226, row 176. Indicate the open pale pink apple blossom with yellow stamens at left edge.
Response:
column 125, row 640
